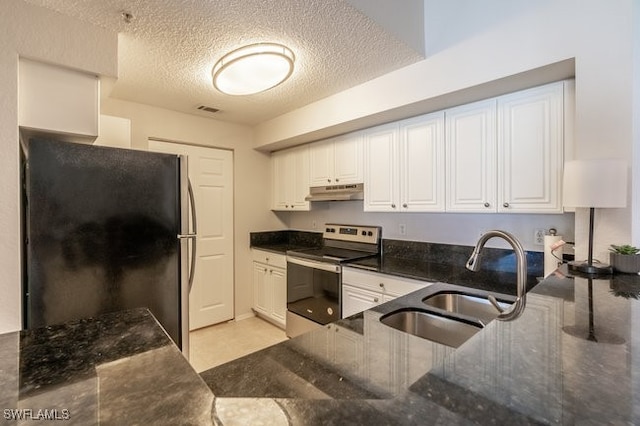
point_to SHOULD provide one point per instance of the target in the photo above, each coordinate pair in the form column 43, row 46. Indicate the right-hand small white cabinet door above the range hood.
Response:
column 348, row 159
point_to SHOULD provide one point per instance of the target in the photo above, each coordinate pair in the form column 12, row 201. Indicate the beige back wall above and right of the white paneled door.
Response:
column 251, row 188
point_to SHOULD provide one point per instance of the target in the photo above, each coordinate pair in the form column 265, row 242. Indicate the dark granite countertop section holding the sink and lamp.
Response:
column 545, row 367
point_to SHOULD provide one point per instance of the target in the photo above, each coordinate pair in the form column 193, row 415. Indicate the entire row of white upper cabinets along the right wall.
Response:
column 503, row 154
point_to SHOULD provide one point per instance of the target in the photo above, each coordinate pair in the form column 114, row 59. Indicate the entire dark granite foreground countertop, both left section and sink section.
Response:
column 571, row 358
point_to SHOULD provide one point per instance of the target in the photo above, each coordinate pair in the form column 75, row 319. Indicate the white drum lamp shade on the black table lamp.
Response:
column 595, row 183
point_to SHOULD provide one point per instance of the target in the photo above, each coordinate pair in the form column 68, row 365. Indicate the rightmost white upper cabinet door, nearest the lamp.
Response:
column 530, row 135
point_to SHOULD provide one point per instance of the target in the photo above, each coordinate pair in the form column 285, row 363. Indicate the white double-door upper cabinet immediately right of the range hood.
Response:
column 404, row 166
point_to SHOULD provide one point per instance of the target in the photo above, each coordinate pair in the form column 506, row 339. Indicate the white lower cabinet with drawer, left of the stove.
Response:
column 270, row 286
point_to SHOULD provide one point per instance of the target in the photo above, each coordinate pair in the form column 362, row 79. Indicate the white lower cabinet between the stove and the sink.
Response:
column 362, row 290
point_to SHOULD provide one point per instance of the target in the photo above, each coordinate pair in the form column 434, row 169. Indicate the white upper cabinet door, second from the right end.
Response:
column 471, row 157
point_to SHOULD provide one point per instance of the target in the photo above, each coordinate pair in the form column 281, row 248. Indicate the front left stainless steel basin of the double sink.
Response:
column 430, row 326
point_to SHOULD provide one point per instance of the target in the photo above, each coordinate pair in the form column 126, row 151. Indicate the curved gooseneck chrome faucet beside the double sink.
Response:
column 473, row 264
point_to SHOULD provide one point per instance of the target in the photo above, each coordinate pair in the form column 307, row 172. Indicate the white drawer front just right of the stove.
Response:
column 381, row 283
